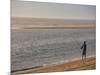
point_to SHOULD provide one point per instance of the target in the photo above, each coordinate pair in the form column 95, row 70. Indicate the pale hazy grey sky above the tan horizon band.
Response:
column 52, row 10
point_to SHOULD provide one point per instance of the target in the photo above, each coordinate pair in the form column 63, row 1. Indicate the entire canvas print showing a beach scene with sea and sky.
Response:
column 51, row 37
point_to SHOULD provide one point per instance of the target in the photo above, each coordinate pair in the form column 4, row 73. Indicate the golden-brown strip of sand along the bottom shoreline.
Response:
column 75, row 65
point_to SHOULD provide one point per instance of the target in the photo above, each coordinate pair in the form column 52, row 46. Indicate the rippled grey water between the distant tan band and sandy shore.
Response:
column 37, row 47
